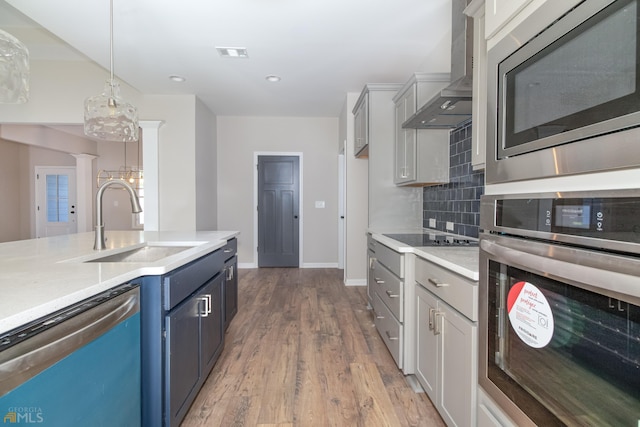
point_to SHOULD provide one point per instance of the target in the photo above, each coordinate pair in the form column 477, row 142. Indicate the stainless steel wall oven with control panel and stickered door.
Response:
column 560, row 307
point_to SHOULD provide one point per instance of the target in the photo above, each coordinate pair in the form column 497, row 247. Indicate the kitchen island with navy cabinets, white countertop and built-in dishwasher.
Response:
column 49, row 285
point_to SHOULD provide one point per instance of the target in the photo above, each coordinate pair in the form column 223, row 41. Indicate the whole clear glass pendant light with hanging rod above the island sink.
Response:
column 107, row 116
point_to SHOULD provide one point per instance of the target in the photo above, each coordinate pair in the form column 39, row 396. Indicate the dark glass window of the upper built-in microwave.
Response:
column 589, row 75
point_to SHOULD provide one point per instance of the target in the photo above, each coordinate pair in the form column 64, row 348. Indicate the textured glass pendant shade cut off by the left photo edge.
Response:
column 14, row 70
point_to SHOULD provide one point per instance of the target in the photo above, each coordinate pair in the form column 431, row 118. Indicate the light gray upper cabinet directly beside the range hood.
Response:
column 421, row 156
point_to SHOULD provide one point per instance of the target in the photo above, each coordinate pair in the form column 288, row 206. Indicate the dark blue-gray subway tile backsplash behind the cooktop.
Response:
column 458, row 201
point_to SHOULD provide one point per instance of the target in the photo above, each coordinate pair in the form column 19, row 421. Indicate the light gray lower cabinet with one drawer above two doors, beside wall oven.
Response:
column 447, row 343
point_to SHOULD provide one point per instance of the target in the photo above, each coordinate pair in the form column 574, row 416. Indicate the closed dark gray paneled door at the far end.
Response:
column 278, row 211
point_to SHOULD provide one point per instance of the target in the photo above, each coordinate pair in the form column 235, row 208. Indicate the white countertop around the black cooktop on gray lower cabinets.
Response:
column 463, row 260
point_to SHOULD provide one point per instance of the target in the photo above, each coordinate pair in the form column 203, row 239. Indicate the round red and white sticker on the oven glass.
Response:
column 530, row 314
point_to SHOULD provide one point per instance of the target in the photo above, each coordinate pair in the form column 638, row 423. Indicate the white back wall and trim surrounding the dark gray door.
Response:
column 239, row 138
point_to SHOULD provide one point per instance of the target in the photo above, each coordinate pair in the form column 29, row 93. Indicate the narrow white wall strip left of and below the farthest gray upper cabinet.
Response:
column 356, row 210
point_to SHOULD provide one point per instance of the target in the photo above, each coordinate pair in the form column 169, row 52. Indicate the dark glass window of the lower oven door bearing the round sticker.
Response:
column 564, row 355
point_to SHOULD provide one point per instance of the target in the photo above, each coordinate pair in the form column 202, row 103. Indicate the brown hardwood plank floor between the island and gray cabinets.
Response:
column 303, row 351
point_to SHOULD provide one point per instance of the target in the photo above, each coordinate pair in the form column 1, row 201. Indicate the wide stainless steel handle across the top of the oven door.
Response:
column 591, row 270
